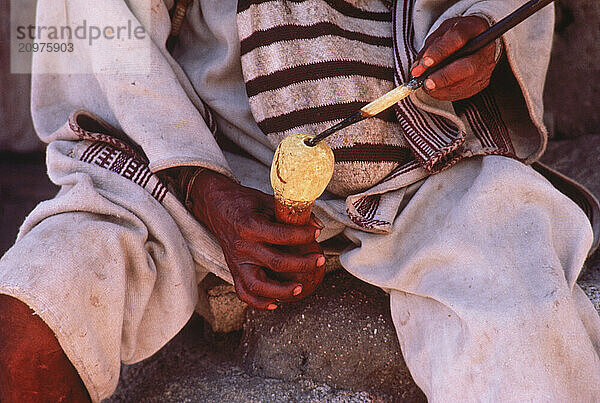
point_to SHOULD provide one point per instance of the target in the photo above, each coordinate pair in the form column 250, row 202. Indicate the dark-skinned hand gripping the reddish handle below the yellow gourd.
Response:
column 269, row 261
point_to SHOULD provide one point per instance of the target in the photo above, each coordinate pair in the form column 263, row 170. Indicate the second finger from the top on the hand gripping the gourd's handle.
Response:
column 280, row 261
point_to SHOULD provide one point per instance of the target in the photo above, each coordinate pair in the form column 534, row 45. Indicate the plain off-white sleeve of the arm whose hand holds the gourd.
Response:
column 133, row 84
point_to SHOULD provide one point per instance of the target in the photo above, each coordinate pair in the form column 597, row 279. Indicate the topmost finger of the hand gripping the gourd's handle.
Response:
column 261, row 229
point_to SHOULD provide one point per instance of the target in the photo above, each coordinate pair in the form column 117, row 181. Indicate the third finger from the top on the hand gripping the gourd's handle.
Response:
column 255, row 282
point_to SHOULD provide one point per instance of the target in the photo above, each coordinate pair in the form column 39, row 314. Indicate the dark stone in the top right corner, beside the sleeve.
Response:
column 572, row 92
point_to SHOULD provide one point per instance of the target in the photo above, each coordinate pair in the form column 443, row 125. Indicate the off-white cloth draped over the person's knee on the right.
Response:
column 481, row 269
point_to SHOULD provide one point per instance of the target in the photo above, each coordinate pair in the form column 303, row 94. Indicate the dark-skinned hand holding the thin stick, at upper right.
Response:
column 464, row 77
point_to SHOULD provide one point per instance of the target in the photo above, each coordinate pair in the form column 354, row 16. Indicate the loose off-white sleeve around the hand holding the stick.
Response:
column 515, row 92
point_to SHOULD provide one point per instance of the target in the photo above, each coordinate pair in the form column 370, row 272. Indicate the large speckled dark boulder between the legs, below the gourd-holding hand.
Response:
column 343, row 336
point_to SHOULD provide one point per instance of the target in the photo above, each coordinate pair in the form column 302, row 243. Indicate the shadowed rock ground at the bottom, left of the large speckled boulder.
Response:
column 198, row 366
